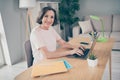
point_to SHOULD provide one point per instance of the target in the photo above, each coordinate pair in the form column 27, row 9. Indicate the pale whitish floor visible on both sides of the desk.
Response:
column 9, row 72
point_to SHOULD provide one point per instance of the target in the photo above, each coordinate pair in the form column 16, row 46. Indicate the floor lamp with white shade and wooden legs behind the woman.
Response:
column 26, row 4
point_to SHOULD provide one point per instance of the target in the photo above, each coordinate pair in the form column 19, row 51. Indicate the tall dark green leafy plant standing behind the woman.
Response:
column 67, row 10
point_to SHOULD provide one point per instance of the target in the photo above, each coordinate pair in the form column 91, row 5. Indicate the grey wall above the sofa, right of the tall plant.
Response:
column 98, row 7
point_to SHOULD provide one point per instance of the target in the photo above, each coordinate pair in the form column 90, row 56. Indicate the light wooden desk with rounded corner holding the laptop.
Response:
column 80, row 70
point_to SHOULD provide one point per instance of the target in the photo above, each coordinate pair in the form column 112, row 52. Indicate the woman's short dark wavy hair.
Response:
column 44, row 10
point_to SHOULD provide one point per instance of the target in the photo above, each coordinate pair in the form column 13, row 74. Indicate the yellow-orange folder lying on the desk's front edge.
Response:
column 48, row 68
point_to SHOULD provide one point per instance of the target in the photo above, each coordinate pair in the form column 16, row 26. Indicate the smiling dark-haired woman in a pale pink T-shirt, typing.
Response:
column 44, row 38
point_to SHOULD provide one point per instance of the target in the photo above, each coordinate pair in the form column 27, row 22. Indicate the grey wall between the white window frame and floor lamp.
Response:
column 14, row 28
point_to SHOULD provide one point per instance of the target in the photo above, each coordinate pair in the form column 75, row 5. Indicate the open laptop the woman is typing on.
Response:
column 86, row 51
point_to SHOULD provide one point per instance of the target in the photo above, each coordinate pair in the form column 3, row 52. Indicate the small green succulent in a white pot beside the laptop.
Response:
column 92, row 60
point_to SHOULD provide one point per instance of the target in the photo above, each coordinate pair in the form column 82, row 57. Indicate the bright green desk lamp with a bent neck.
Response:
column 101, row 39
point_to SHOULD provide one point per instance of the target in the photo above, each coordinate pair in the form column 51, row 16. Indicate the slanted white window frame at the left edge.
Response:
column 4, row 51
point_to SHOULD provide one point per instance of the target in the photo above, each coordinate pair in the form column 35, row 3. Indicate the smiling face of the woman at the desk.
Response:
column 48, row 19
